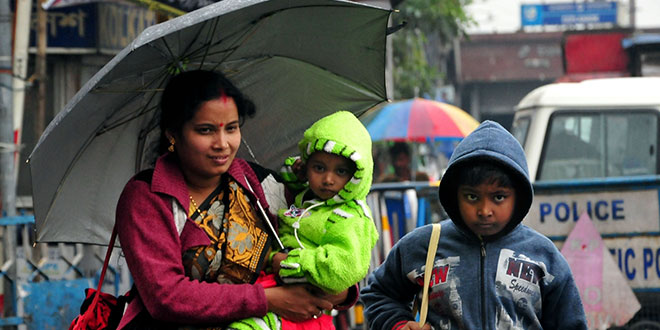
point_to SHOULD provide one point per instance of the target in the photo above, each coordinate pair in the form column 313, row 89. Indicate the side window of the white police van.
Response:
column 591, row 145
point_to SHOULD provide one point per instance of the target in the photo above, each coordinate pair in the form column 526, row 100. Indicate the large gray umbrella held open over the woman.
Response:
column 297, row 60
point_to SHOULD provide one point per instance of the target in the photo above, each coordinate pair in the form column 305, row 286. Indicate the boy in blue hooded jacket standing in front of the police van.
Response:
column 490, row 271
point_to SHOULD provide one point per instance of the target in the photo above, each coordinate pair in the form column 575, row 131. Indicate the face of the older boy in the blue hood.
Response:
column 486, row 208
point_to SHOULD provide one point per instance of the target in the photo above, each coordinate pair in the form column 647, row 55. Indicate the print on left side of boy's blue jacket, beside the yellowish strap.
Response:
column 443, row 292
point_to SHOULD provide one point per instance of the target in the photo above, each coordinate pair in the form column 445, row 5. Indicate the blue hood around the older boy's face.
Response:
column 493, row 143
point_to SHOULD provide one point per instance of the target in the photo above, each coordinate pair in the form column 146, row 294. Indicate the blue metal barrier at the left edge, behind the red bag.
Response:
column 44, row 283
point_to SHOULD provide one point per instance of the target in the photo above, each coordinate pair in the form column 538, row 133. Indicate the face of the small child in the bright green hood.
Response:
column 328, row 173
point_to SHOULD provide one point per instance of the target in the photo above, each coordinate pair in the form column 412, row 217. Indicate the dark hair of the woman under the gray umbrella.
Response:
column 185, row 93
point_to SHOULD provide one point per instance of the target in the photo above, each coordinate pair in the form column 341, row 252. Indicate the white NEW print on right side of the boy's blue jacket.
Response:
column 518, row 279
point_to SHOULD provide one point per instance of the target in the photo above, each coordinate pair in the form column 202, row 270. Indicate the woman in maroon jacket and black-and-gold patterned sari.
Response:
column 204, row 270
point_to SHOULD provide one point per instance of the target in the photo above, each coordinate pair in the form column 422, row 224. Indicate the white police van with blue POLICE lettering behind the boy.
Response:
column 592, row 146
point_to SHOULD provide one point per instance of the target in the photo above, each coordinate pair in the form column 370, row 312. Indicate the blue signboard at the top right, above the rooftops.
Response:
column 568, row 13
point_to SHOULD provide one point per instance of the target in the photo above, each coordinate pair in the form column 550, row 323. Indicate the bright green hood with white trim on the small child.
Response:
column 341, row 133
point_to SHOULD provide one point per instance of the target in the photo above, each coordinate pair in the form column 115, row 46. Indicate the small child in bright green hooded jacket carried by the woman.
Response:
column 328, row 230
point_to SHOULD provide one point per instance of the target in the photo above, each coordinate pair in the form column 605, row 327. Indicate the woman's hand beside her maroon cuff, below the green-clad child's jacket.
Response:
column 295, row 303
